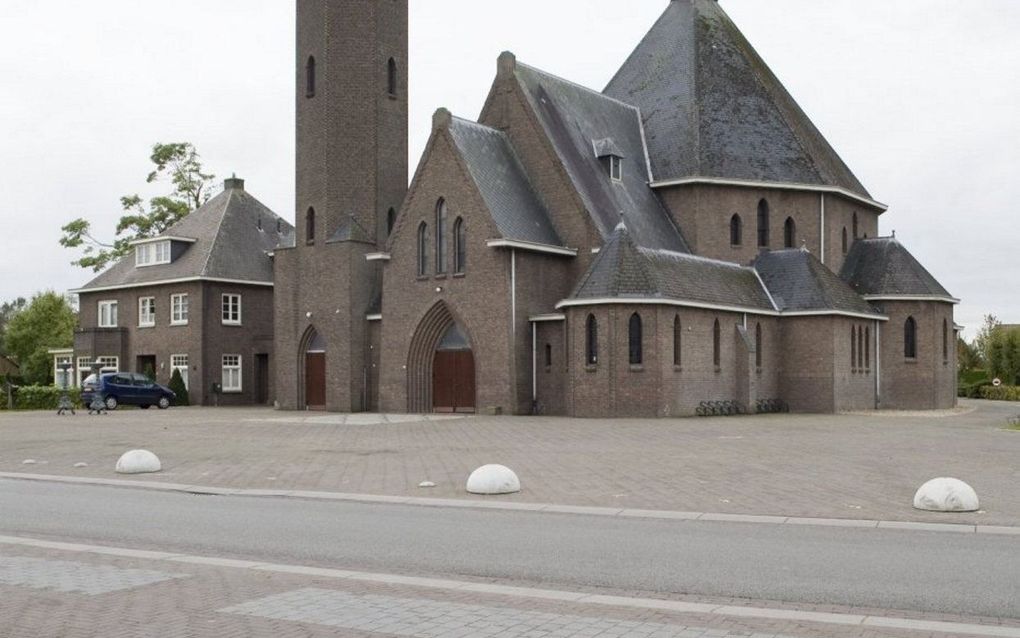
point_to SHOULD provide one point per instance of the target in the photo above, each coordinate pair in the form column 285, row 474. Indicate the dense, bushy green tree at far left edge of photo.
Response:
column 47, row 322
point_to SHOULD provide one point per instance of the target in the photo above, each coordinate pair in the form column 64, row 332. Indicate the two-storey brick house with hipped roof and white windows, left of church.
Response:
column 197, row 299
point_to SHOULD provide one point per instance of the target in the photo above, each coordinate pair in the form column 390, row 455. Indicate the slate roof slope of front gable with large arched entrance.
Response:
column 514, row 205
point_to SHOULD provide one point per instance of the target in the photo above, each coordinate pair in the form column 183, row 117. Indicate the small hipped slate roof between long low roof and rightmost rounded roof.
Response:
column 798, row 281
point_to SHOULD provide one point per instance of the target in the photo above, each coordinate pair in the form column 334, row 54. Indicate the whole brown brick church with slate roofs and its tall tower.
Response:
column 684, row 236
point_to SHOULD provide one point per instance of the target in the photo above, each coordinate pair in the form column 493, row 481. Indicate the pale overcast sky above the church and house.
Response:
column 922, row 99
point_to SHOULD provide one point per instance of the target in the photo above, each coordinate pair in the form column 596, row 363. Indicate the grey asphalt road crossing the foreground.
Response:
column 950, row 573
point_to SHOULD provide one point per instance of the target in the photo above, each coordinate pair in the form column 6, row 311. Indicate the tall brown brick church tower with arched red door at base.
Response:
column 351, row 102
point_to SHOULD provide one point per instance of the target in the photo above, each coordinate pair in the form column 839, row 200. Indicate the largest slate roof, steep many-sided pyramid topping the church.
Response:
column 713, row 109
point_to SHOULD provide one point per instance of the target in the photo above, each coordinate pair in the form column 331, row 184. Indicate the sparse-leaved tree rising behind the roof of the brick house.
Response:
column 180, row 164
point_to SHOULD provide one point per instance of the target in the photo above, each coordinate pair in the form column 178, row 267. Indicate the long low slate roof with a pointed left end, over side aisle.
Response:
column 624, row 270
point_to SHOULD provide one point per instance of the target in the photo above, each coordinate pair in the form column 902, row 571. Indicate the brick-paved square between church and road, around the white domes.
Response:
column 849, row 466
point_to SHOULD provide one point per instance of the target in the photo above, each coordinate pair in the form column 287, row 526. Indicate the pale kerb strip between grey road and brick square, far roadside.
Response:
column 622, row 513
